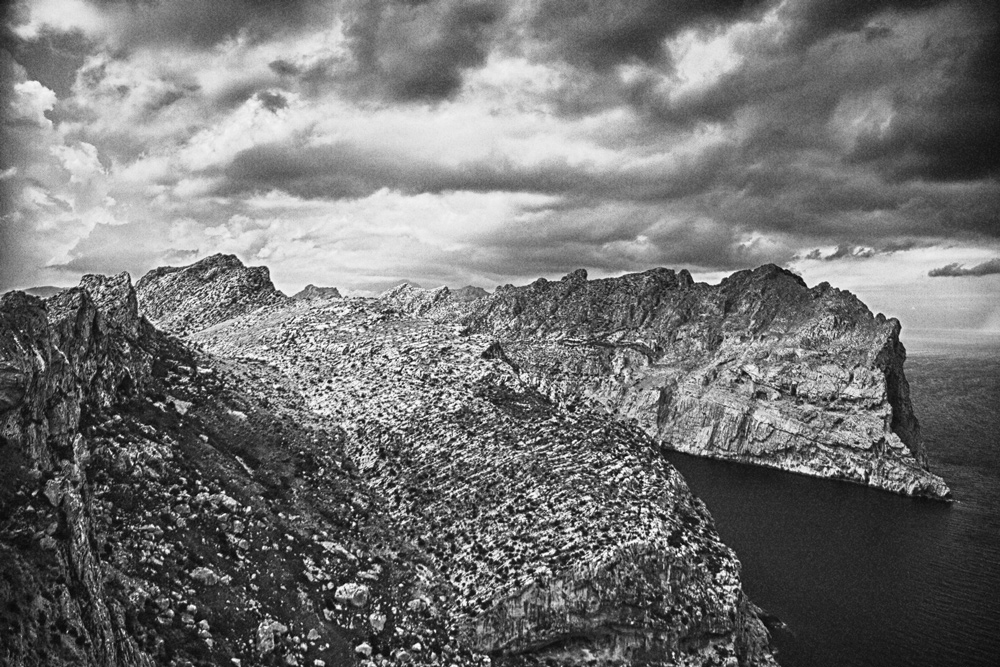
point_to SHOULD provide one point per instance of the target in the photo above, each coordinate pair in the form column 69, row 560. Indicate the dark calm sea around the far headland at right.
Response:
column 863, row 577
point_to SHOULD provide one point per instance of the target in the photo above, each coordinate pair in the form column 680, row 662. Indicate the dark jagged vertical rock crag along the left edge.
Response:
column 84, row 350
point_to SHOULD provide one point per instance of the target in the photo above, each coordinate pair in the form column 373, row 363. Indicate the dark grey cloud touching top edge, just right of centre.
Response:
column 602, row 33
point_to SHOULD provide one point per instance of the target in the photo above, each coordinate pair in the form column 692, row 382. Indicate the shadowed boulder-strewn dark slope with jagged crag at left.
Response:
column 158, row 506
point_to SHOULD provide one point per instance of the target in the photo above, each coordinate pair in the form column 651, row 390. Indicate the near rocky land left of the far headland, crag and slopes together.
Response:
column 330, row 482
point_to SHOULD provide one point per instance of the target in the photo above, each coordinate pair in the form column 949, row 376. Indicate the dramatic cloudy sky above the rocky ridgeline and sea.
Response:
column 357, row 143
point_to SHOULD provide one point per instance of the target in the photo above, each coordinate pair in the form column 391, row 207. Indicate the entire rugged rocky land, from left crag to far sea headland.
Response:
column 199, row 470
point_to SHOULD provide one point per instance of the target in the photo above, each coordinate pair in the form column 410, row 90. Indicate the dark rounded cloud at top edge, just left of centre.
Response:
column 418, row 50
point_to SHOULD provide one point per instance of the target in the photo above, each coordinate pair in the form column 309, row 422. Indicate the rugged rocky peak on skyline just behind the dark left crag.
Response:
column 189, row 298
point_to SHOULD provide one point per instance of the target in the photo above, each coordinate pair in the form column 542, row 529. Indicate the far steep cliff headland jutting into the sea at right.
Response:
column 760, row 369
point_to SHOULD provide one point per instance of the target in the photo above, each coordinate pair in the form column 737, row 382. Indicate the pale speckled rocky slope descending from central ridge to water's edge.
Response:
column 549, row 535
